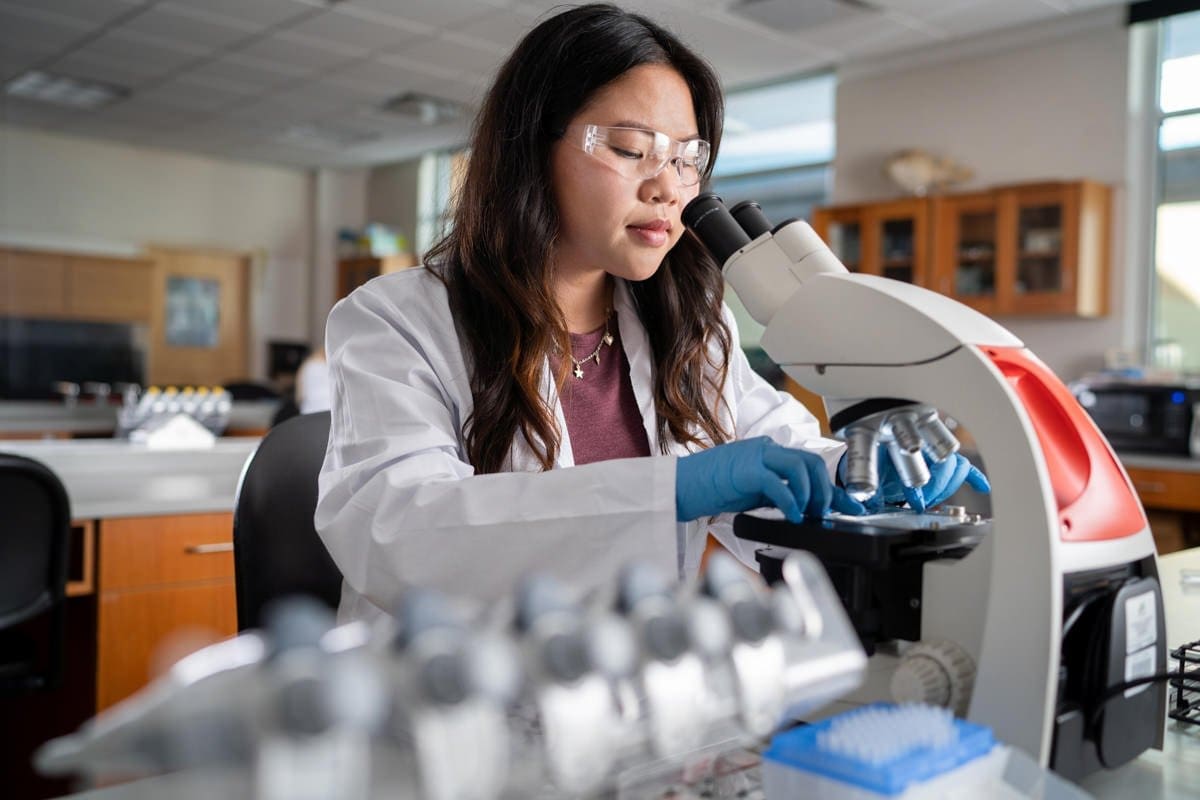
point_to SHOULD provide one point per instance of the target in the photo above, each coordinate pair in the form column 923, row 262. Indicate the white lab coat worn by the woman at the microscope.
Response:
column 400, row 504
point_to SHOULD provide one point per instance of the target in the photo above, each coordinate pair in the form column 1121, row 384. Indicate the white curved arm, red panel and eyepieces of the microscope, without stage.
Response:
column 1061, row 503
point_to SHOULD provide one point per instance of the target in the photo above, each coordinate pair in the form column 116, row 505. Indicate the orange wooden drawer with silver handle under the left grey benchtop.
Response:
column 140, row 552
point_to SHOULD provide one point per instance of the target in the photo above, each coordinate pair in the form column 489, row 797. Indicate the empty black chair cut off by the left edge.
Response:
column 33, row 574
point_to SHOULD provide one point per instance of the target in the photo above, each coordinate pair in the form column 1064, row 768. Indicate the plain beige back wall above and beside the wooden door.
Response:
column 61, row 193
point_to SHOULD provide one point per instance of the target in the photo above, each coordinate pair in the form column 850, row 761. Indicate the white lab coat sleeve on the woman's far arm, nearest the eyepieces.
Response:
column 759, row 410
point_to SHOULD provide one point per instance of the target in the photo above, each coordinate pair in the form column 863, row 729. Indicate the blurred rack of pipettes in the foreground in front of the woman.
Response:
column 560, row 699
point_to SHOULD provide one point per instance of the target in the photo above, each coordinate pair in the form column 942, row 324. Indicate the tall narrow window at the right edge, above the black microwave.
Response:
column 1175, row 317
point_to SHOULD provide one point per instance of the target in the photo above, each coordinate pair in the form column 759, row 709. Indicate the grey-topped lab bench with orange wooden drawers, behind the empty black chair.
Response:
column 152, row 546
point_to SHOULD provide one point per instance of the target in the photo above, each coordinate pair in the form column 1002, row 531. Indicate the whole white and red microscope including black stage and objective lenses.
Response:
column 1029, row 622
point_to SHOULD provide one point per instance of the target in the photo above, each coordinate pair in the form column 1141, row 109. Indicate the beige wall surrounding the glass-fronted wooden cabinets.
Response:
column 1036, row 104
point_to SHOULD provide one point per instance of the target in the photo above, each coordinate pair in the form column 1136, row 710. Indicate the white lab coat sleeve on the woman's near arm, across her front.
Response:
column 399, row 506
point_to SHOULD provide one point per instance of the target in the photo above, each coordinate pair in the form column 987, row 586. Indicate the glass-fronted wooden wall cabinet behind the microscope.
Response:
column 1036, row 249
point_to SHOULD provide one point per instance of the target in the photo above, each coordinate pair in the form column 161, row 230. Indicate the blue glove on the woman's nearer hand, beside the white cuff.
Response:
column 757, row 473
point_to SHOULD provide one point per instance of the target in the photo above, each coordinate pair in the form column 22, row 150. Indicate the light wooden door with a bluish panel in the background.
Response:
column 200, row 326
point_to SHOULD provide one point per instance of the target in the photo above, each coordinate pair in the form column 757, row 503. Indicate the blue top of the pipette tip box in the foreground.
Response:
column 901, row 762
